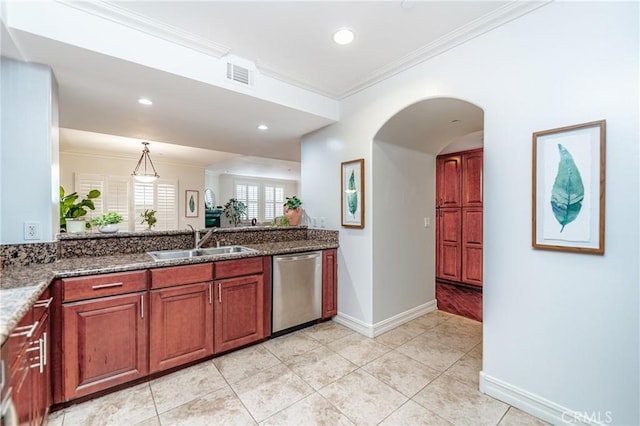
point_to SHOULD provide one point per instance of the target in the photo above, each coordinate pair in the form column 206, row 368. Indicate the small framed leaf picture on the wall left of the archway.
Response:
column 352, row 193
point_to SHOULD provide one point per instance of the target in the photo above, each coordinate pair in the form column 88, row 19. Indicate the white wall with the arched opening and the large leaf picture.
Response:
column 561, row 330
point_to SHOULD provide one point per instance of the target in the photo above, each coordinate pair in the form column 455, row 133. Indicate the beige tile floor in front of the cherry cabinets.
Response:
column 424, row 372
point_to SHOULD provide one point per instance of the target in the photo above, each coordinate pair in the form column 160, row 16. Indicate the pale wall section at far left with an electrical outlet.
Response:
column 29, row 146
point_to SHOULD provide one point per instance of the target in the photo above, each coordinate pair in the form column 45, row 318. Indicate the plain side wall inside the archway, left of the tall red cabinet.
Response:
column 403, row 248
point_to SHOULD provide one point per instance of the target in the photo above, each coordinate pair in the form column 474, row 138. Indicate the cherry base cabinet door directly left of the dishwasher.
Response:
column 238, row 312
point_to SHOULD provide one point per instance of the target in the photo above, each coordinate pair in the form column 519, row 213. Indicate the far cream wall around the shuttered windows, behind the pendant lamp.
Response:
column 188, row 177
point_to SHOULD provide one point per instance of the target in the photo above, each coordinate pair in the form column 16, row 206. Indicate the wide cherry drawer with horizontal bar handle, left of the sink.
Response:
column 103, row 285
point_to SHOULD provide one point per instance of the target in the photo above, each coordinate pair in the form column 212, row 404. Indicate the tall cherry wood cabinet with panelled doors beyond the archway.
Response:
column 459, row 217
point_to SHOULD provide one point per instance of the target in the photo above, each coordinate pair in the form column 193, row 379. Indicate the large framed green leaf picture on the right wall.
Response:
column 568, row 195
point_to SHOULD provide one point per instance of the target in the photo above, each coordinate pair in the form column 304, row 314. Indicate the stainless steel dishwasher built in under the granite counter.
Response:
column 297, row 289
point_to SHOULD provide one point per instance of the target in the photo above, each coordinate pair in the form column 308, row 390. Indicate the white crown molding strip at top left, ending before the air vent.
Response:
column 112, row 12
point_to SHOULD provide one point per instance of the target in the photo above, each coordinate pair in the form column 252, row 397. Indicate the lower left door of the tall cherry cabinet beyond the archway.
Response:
column 449, row 246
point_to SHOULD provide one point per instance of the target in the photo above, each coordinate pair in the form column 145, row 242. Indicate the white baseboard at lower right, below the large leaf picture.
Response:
column 538, row 406
